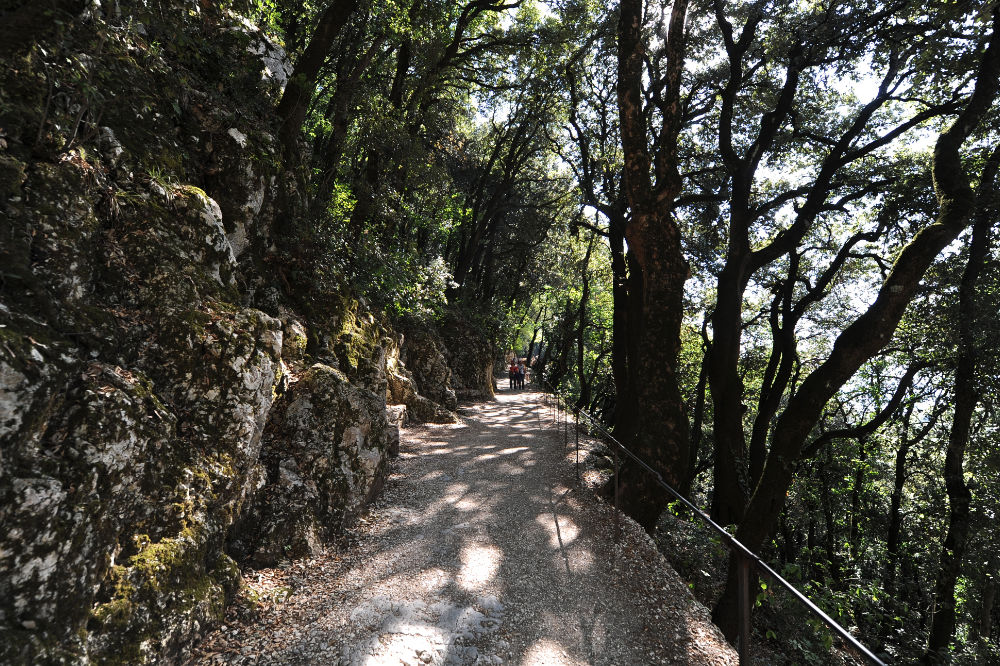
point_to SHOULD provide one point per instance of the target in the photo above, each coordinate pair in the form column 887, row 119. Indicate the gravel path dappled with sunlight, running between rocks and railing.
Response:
column 482, row 550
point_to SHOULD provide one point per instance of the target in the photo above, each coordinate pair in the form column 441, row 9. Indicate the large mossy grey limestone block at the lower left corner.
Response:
column 115, row 497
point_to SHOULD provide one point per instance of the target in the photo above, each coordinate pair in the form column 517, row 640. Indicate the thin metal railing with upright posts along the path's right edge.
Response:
column 745, row 557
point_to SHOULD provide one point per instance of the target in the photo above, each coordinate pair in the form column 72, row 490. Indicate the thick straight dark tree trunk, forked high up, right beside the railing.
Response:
column 653, row 421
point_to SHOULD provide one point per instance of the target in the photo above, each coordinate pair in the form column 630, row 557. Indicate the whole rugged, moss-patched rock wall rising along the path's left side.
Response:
column 167, row 401
